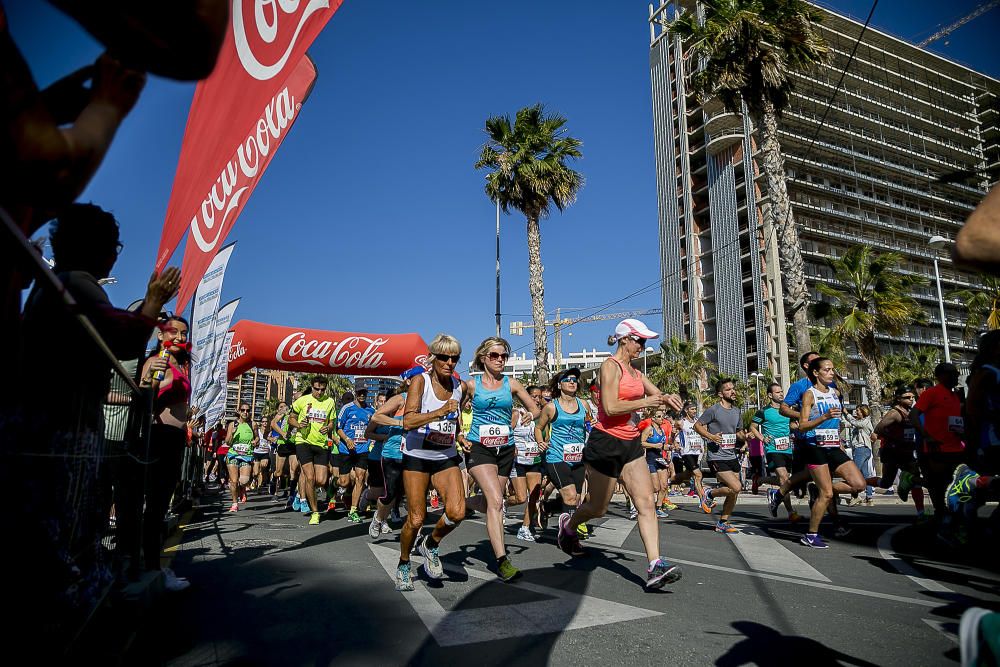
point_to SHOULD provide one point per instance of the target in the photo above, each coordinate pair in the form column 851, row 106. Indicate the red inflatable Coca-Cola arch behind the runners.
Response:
column 257, row 345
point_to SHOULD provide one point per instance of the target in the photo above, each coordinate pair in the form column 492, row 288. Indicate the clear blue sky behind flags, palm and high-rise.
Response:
column 372, row 218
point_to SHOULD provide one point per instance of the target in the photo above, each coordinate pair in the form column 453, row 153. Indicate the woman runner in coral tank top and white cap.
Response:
column 613, row 451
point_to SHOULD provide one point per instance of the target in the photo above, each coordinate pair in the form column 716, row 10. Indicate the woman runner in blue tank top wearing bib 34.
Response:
column 568, row 417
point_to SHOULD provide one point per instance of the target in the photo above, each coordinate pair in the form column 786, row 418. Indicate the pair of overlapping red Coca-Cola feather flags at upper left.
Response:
column 238, row 117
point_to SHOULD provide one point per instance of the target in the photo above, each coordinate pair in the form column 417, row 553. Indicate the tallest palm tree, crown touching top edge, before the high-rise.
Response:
column 749, row 48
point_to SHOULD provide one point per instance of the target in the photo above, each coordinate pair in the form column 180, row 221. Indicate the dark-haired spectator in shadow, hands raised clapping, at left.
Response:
column 54, row 503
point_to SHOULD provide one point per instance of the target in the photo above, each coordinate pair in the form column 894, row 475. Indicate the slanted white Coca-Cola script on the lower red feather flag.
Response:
column 207, row 224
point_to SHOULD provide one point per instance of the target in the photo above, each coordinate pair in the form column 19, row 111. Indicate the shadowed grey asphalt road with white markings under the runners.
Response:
column 269, row 589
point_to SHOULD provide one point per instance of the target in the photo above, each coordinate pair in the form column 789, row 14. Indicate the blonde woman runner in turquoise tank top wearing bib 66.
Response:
column 490, row 443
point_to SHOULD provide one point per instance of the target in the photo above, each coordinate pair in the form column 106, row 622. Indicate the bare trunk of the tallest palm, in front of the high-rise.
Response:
column 792, row 268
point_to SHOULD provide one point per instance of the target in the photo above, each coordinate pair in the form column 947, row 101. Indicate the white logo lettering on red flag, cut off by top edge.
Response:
column 274, row 29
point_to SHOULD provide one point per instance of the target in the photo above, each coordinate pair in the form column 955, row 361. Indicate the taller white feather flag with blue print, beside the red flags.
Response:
column 203, row 331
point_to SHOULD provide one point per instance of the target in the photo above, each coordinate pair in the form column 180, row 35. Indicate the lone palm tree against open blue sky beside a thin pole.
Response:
column 528, row 173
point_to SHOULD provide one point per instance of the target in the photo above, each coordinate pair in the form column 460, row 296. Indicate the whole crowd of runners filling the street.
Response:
column 490, row 443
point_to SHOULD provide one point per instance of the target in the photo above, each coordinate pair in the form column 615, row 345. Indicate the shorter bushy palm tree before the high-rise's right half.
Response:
column 873, row 298
